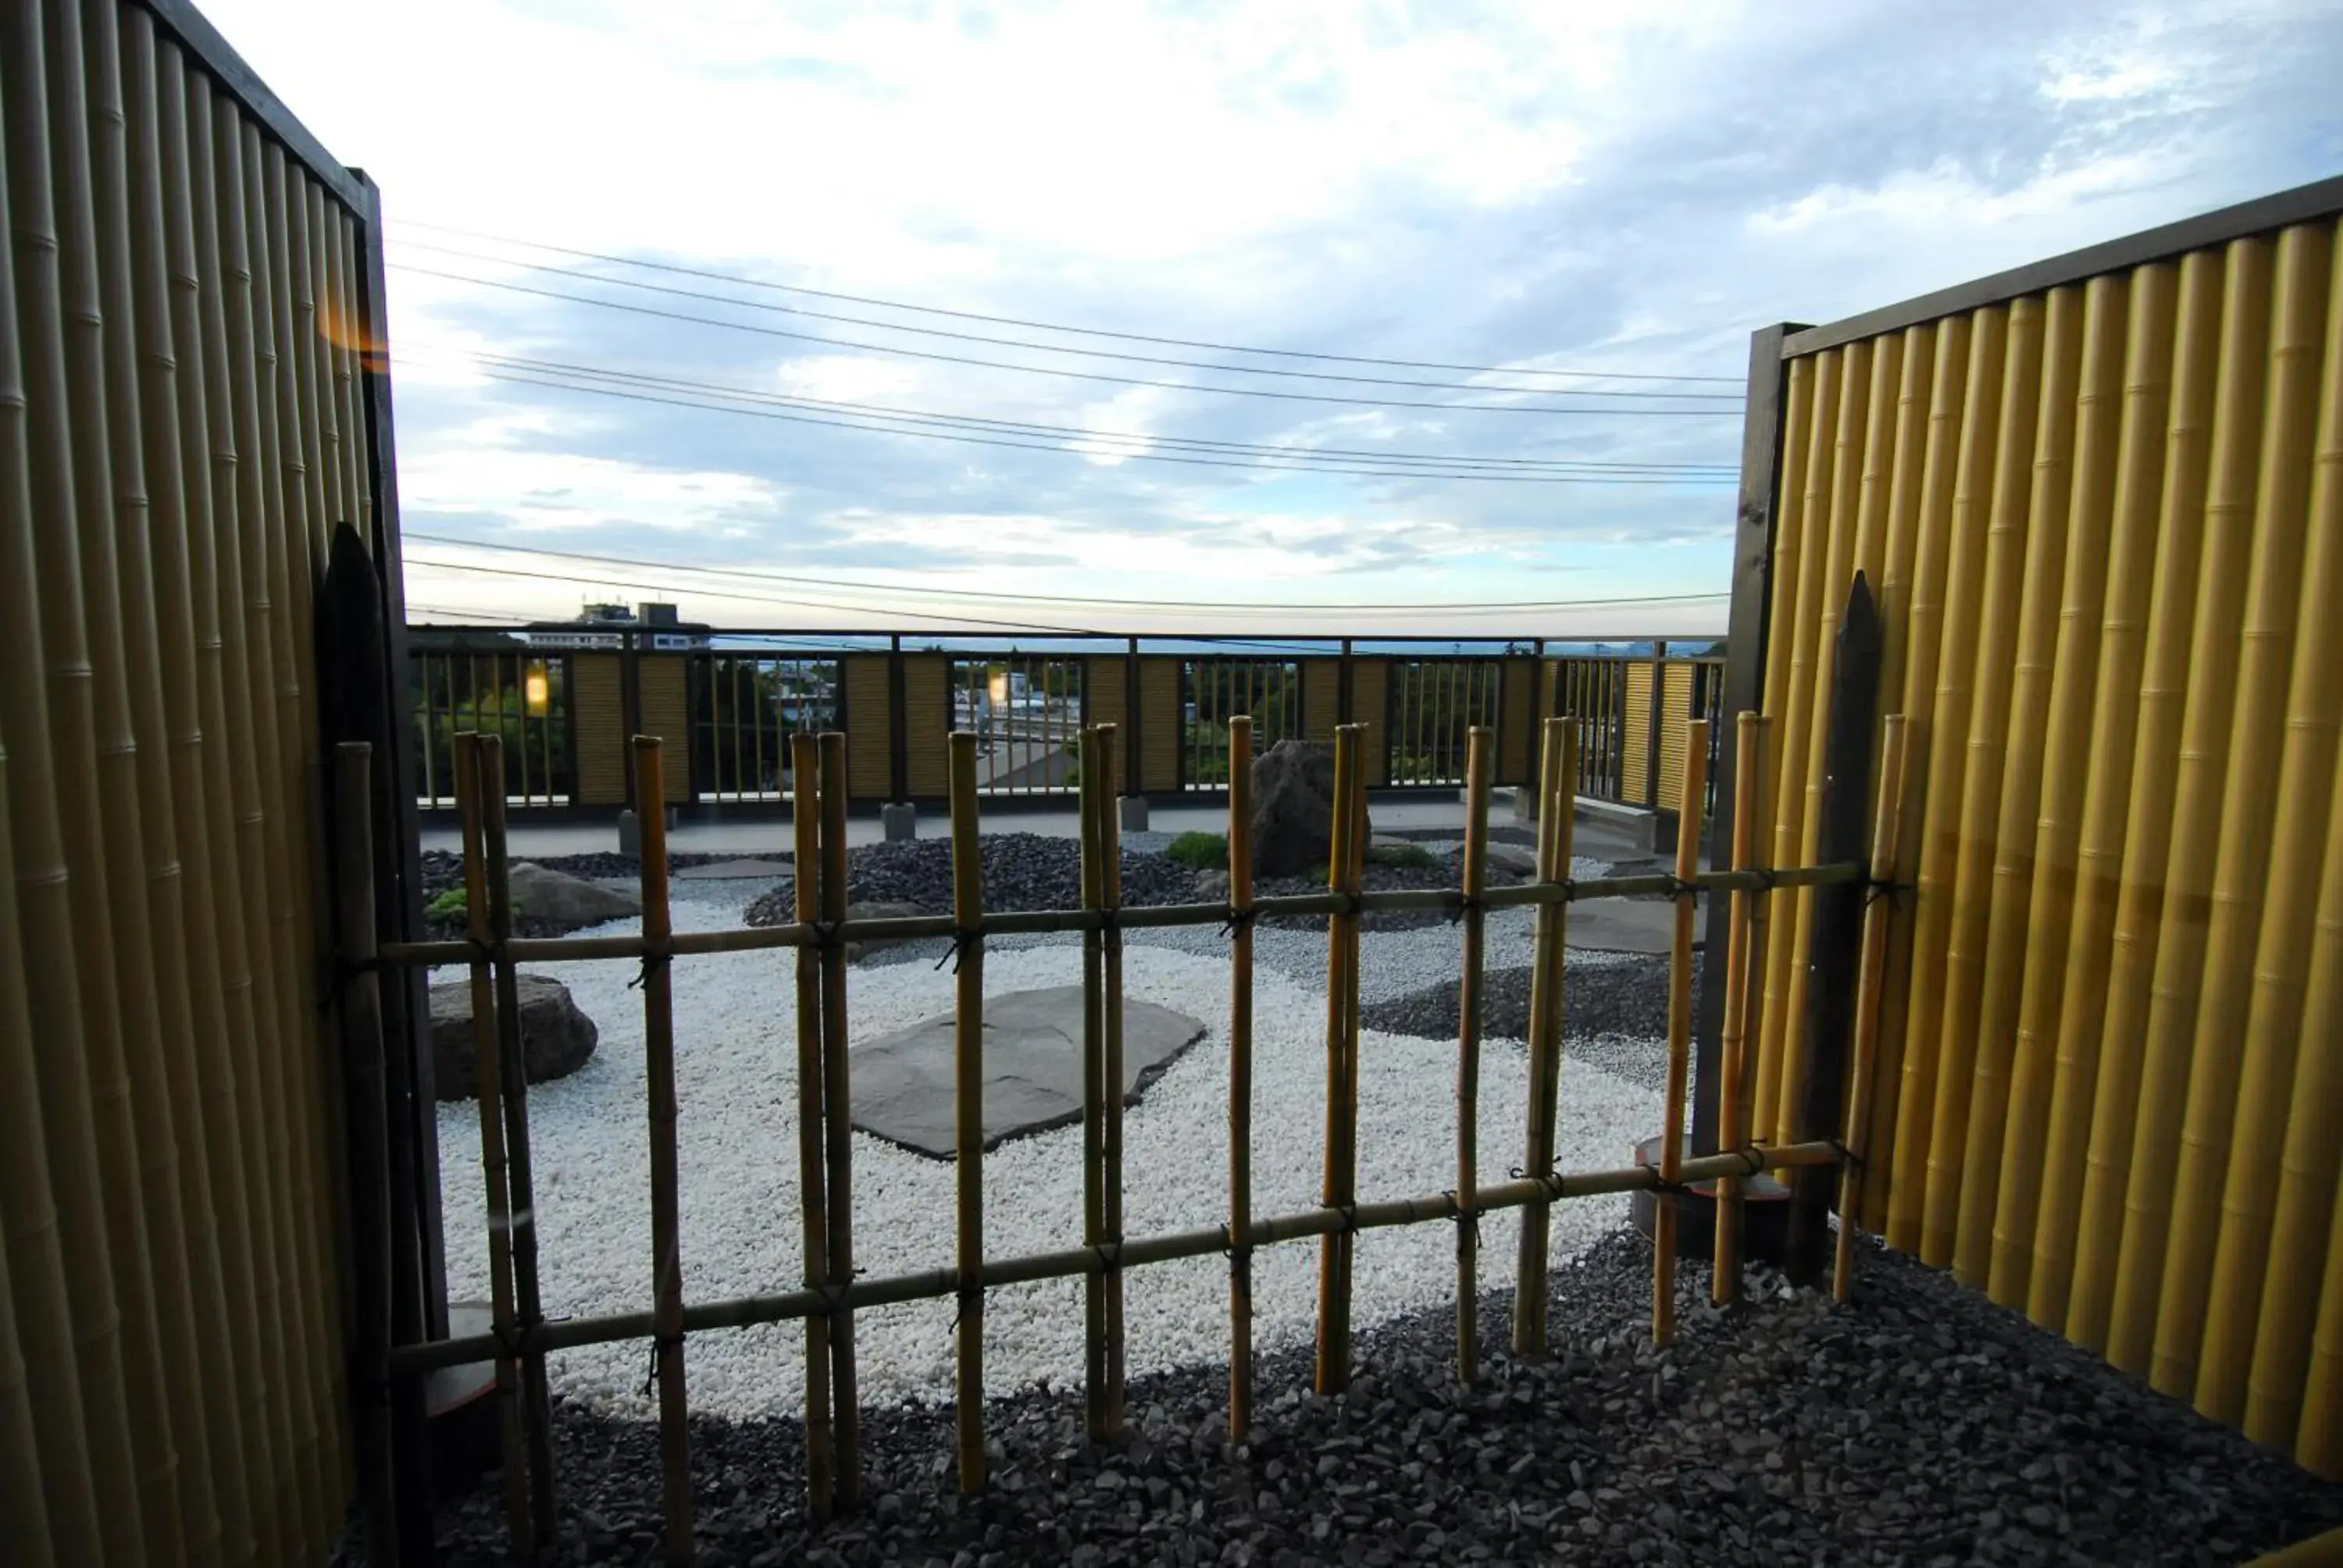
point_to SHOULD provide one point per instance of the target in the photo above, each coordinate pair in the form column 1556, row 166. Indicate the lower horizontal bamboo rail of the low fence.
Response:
column 938, row 1283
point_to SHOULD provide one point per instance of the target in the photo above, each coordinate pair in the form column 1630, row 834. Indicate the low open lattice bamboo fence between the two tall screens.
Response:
column 831, row 1295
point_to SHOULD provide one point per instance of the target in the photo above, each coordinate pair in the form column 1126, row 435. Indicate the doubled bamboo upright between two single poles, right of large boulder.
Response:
column 1559, row 765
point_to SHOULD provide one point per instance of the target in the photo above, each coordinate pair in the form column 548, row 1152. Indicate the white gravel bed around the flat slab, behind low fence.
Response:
column 737, row 1047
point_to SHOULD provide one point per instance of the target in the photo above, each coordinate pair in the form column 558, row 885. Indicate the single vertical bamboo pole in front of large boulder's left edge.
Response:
column 1241, row 1079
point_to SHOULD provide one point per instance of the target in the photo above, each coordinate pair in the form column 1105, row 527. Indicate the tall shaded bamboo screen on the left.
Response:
column 182, row 425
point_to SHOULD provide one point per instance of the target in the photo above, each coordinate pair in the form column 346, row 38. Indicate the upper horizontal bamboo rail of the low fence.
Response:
column 1133, row 918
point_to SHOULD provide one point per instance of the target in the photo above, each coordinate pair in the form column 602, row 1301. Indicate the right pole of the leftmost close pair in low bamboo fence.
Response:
column 514, row 1084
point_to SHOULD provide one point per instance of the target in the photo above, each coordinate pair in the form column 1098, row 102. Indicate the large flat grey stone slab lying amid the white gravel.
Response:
column 1032, row 1070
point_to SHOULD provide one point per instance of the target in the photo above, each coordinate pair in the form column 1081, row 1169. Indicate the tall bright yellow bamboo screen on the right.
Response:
column 2105, row 526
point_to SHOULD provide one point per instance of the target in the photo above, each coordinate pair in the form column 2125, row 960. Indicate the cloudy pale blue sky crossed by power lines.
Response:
column 1536, row 189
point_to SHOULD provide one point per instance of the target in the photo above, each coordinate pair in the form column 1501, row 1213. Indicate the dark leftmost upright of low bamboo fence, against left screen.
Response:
column 369, row 1145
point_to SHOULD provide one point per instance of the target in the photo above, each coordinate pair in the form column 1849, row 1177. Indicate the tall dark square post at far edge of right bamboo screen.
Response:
column 1744, row 681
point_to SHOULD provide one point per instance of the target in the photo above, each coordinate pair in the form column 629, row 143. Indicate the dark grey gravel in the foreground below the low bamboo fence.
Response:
column 1918, row 1424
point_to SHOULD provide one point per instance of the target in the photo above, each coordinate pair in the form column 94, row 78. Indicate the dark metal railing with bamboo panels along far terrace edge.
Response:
column 735, row 700
